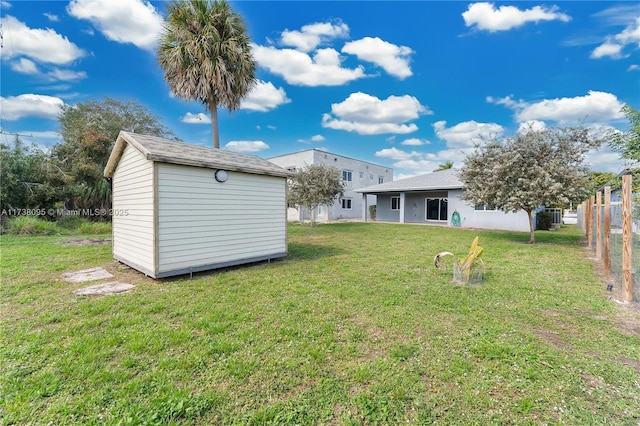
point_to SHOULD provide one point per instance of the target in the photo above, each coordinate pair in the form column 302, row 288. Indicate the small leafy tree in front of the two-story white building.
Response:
column 315, row 185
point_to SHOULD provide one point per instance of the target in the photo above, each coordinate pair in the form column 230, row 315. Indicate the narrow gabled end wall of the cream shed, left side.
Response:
column 133, row 202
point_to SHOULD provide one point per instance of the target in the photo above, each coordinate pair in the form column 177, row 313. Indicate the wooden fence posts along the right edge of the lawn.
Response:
column 595, row 213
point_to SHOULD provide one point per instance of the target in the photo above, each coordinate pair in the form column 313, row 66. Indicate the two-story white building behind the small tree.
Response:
column 355, row 174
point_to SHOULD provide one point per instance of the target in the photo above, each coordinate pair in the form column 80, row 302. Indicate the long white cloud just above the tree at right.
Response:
column 594, row 107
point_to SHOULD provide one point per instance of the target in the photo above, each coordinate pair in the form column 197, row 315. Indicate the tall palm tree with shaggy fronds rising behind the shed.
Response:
column 205, row 53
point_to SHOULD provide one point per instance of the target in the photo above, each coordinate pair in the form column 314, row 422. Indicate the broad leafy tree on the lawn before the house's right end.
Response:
column 534, row 168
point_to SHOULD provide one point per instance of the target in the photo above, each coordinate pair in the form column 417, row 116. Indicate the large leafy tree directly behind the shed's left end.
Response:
column 89, row 131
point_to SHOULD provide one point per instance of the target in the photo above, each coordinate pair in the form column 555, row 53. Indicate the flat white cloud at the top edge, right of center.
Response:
column 485, row 16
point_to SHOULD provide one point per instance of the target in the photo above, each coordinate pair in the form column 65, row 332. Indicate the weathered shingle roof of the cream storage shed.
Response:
column 170, row 151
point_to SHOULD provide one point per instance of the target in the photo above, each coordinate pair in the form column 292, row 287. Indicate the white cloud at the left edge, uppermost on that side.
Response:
column 41, row 45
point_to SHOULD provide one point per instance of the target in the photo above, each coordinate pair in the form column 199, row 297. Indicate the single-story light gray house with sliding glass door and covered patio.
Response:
column 436, row 198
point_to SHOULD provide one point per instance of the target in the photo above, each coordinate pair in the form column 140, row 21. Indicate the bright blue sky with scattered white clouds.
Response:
column 408, row 85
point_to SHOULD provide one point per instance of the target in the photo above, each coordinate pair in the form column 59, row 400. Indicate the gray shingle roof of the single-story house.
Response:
column 443, row 179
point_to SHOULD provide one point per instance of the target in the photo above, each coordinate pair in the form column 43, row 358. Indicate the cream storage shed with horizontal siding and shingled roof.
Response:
column 180, row 208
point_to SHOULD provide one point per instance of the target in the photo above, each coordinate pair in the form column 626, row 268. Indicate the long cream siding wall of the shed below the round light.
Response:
column 205, row 222
